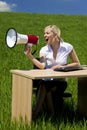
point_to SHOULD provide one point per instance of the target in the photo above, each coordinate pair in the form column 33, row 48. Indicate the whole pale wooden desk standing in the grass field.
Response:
column 22, row 90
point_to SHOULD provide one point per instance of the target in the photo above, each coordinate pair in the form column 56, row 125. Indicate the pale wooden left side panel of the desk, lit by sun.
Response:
column 21, row 98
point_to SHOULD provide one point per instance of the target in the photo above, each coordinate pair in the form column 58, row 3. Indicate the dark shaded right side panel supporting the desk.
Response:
column 82, row 95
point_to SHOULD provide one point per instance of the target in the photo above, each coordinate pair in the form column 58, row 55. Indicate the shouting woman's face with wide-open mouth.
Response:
column 49, row 36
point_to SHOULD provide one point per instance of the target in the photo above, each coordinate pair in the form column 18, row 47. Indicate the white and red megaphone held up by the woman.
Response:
column 13, row 38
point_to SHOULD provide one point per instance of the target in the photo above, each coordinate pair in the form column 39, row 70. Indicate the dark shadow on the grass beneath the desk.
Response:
column 65, row 113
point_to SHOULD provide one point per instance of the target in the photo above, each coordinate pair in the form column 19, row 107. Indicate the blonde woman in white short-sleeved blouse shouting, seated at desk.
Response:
column 54, row 55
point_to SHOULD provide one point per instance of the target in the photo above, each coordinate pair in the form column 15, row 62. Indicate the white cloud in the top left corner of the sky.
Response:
column 6, row 7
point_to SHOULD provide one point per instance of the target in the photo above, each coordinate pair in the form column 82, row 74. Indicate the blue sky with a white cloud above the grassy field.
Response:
column 72, row 7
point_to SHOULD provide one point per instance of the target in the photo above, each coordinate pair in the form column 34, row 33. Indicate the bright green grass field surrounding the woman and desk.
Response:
column 74, row 30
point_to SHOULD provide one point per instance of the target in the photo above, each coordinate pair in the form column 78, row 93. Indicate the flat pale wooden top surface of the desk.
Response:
column 48, row 73
